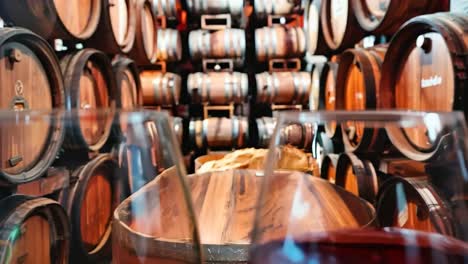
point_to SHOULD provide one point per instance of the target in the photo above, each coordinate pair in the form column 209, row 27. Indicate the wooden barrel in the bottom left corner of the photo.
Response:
column 33, row 230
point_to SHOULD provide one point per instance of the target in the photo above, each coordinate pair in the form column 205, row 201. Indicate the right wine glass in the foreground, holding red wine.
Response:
column 405, row 204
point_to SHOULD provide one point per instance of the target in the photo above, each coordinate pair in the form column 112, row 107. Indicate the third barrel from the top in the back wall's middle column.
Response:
column 218, row 87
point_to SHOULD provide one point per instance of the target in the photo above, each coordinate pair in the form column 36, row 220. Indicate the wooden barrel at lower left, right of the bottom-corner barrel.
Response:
column 90, row 202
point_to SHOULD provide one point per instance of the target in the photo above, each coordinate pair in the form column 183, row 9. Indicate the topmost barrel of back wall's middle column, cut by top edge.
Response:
column 200, row 7
